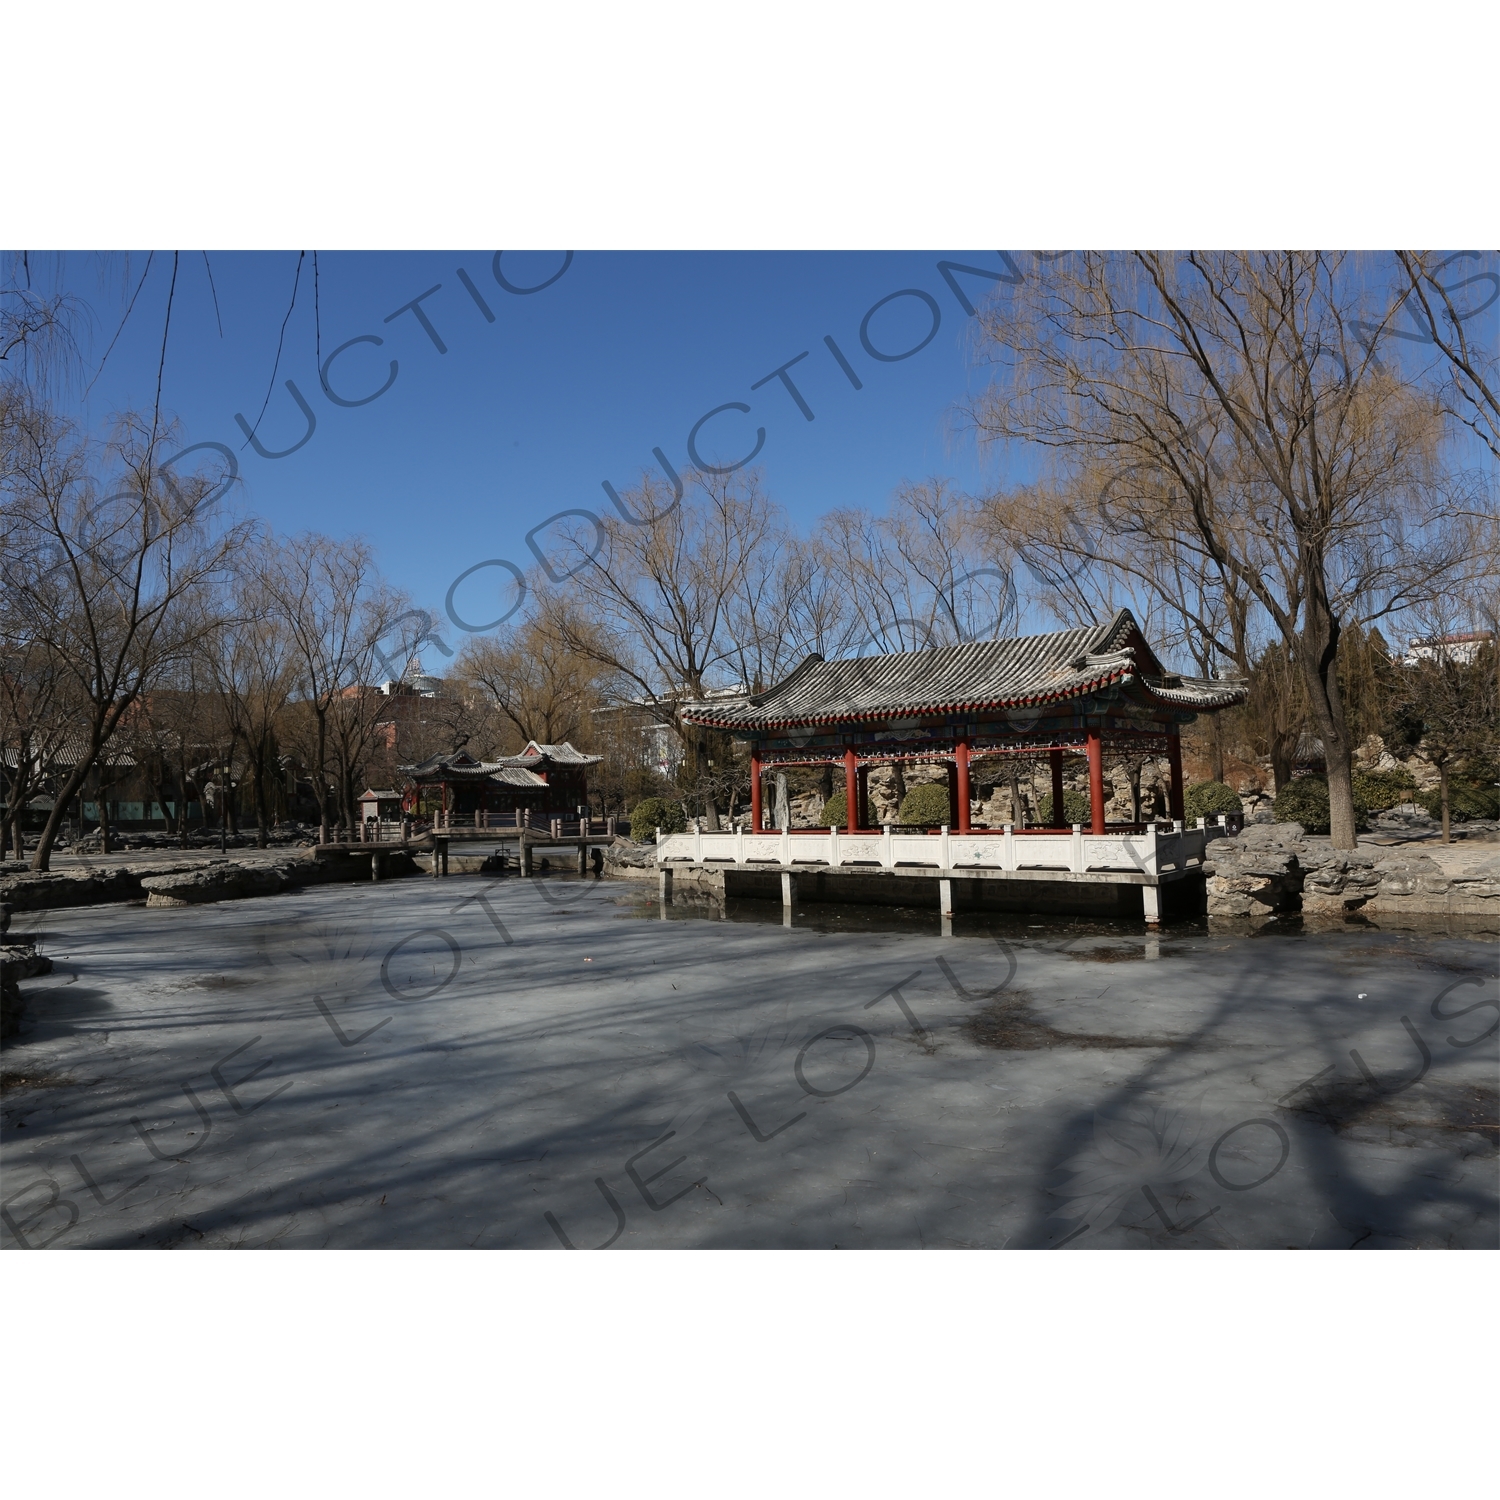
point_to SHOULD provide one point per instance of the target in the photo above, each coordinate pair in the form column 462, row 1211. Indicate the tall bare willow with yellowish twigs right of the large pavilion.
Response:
column 1234, row 407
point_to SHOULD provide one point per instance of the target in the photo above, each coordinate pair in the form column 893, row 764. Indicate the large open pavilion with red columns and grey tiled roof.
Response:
column 1091, row 692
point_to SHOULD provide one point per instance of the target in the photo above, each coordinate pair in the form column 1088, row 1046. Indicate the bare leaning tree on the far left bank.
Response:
column 110, row 556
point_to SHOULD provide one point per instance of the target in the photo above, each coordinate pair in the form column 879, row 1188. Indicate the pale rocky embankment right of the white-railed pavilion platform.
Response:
column 1277, row 868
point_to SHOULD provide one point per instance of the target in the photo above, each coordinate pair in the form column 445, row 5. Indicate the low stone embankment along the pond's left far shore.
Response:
column 188, row 883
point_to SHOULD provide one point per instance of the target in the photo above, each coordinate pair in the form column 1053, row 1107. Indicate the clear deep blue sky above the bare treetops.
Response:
column 569, row 386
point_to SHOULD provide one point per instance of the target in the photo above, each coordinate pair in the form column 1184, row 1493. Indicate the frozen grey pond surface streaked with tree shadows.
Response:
column 533, row 1064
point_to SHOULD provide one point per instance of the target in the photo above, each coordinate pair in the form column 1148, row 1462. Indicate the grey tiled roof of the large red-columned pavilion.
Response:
column 973, row 677
